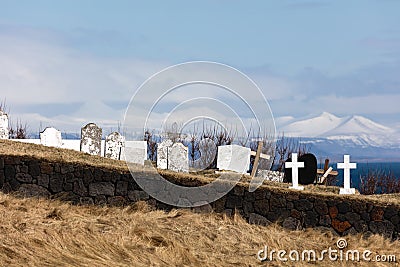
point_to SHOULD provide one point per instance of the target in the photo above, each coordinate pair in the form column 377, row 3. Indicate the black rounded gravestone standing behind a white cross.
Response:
column 307, row 174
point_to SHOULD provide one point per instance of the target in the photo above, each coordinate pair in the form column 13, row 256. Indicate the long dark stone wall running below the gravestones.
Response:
column 83, row 184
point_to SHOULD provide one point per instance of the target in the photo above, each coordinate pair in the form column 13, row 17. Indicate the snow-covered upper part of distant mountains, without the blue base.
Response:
column 351, row 131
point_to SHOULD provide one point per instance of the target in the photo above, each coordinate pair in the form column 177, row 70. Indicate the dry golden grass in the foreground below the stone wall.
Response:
column 37, row 232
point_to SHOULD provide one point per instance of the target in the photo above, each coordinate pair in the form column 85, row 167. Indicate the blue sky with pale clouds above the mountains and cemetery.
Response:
column 69, row 62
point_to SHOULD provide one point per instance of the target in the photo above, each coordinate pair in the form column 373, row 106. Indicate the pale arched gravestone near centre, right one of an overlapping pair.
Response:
column 178, row 158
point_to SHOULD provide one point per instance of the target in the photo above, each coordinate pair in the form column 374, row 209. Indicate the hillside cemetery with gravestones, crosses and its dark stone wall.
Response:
column 97, row 174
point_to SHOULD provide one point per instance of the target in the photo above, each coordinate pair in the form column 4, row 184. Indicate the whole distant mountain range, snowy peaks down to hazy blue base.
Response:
column 332, row 136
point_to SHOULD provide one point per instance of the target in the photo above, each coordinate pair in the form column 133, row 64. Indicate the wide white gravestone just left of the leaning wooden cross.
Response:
column 233, row 158
